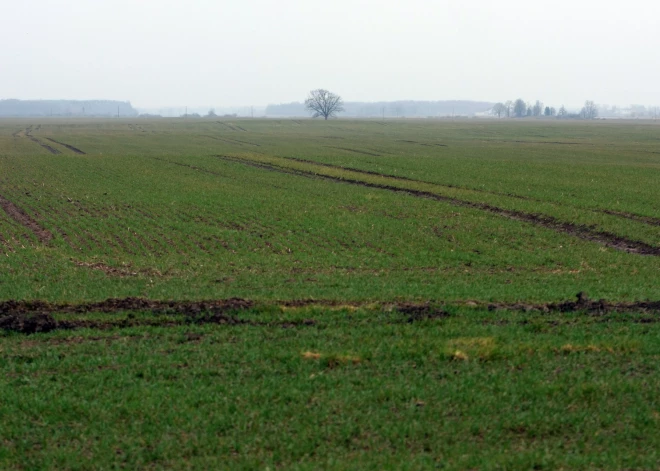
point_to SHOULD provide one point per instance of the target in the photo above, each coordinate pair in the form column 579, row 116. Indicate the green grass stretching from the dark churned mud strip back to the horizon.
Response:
column 161, row 204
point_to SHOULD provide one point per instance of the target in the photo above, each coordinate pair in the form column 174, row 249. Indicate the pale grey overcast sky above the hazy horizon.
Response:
column 241, row 52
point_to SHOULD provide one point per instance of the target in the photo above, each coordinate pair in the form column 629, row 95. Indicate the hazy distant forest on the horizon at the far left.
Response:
column 32, row 108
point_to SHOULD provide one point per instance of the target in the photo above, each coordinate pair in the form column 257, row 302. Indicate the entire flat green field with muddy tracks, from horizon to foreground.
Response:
column 403, row 294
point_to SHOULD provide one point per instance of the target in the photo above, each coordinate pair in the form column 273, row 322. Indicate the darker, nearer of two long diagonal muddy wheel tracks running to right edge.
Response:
column 607, row 239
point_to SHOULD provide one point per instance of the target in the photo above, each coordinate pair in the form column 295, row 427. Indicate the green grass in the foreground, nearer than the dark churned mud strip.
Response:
column 358, row 388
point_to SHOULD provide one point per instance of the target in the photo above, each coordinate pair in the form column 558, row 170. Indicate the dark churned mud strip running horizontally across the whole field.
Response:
column 29, row 317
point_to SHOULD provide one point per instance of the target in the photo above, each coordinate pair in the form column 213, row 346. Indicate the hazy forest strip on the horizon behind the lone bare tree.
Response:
column 391, row 109
